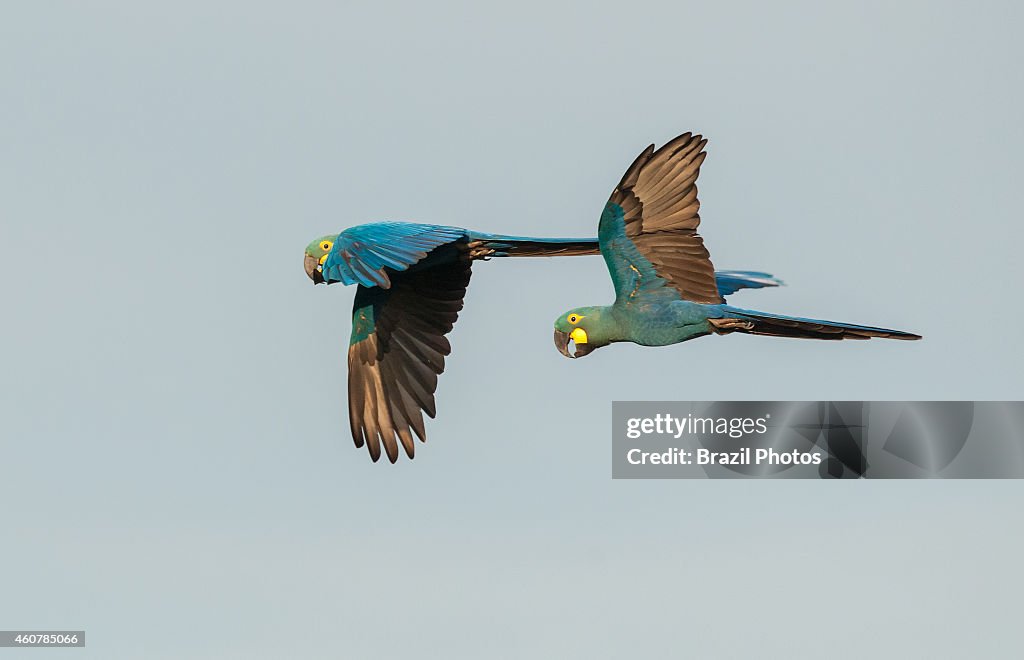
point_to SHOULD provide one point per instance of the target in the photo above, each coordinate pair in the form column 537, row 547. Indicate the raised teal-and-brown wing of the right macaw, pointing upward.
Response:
column 649, row 229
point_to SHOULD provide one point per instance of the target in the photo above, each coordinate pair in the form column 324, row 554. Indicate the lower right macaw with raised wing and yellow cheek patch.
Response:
column 666, row 289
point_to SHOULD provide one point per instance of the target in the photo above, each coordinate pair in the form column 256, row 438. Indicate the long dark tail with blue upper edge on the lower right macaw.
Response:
column 750, row 322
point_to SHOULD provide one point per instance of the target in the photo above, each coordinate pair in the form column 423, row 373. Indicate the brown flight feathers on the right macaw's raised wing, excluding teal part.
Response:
column 659, row 197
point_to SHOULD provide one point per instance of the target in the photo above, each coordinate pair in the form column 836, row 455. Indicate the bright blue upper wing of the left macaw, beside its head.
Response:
column 361, row 254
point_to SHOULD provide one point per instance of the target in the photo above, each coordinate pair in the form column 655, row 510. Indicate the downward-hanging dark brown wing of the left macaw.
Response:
column 397, row 353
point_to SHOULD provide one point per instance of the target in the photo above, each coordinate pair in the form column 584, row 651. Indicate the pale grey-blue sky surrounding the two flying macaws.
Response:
column 178, row 475
